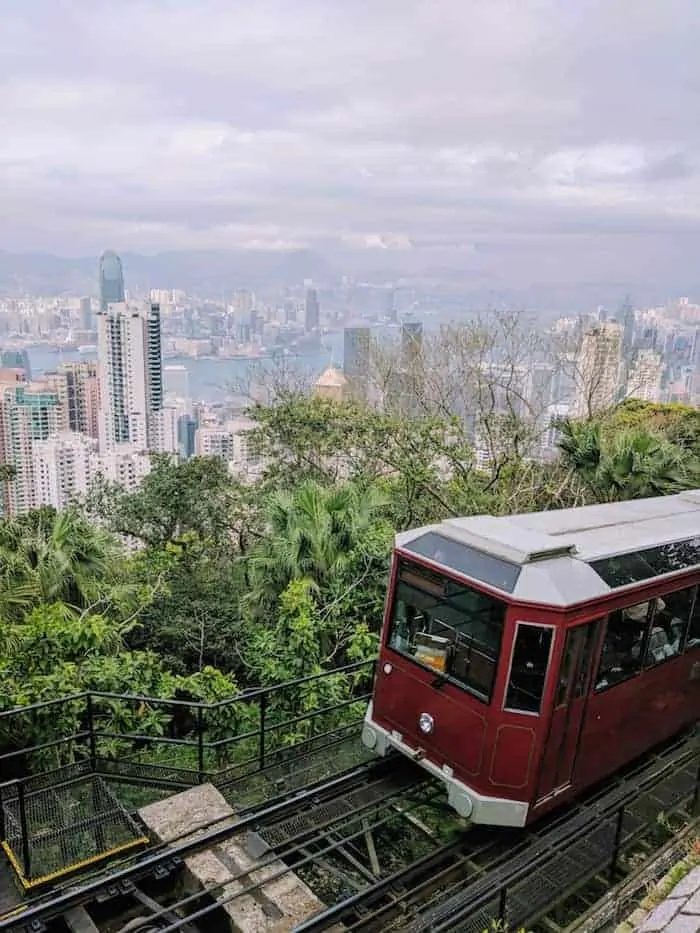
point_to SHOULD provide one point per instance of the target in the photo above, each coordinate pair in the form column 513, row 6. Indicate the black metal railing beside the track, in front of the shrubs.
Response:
column 164, row 743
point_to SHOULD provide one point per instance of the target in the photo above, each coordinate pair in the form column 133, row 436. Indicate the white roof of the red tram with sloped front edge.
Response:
column 567, row 556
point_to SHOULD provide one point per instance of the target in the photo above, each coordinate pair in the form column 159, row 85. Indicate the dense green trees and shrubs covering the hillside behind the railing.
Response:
column 235, row 587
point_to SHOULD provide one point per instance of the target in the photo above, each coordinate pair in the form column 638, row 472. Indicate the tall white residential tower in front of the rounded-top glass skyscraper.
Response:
column 131, row 374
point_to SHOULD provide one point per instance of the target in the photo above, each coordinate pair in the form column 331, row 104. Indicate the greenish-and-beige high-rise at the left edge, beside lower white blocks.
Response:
column 29, row 413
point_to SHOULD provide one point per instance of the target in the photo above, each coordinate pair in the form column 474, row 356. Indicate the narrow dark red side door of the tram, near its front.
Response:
column 559, row 757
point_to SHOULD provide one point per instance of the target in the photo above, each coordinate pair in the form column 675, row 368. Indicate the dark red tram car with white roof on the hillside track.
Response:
column 524, row 658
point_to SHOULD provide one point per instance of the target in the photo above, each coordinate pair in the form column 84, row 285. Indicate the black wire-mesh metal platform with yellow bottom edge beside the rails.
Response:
column 69, row 827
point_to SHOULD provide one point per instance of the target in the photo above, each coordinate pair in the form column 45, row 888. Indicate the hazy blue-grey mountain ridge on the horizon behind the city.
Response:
column 474, row 275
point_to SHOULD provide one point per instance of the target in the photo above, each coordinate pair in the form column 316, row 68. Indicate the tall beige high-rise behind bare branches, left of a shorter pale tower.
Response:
column 599, row 369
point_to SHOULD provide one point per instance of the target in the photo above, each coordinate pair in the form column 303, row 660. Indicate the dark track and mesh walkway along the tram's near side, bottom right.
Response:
column 520, row 877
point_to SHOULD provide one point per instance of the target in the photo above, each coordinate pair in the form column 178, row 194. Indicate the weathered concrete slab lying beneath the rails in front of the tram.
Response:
column 276, row 906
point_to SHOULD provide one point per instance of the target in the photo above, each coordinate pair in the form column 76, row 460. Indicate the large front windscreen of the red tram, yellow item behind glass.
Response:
column 448, row 627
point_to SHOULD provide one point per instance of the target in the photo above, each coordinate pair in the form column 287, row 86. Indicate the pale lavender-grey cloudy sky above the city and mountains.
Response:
column 552, row 135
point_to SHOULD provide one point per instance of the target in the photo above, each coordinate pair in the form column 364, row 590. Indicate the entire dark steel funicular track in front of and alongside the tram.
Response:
column 486, row 873
